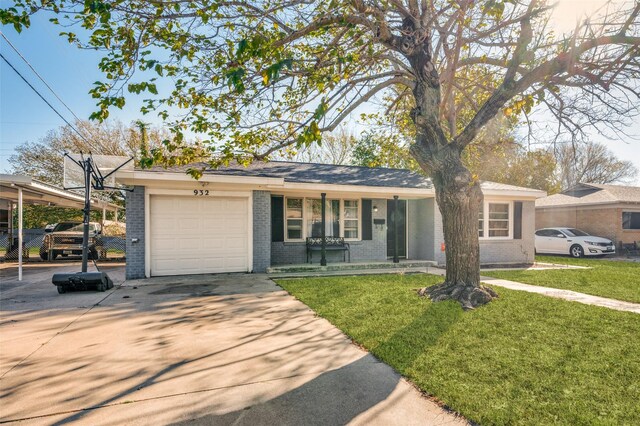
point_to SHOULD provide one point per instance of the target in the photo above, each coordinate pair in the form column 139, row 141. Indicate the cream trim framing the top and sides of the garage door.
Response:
column 186, row 193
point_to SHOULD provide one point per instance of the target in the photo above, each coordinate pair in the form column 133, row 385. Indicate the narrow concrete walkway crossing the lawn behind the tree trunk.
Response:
column 572, row 296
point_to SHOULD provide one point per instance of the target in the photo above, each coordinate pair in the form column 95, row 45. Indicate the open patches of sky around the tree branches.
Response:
column 71, row 72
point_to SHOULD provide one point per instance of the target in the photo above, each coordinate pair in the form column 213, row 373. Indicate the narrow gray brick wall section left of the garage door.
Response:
column 135, row 230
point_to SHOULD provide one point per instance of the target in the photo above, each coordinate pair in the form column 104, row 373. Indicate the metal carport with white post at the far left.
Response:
column 21, row 189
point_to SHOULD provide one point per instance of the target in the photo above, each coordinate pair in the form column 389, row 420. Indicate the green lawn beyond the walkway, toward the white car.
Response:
column 606, row 278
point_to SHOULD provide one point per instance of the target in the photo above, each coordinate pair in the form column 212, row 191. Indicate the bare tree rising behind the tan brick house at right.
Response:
column 591, row 162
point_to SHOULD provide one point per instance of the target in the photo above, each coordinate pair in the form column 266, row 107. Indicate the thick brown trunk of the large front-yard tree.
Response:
column 458, row 194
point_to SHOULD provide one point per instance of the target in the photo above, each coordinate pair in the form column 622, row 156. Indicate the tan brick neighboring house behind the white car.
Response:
column 611, row 211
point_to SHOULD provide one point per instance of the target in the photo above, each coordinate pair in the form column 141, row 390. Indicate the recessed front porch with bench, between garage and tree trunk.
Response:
column 368, row 230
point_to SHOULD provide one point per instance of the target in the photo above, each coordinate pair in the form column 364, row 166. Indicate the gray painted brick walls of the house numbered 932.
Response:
column 424, row 237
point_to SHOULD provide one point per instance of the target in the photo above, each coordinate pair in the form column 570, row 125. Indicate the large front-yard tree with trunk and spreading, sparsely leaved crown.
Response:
column 257, row 77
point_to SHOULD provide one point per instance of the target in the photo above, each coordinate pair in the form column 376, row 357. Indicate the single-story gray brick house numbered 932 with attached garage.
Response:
column 239, row 218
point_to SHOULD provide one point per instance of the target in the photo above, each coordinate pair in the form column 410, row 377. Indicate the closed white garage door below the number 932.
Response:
column 198, row 235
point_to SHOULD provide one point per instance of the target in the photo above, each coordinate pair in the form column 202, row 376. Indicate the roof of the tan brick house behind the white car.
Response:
column 591, row 193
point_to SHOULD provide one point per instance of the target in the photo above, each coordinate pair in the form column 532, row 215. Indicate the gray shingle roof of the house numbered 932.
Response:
column 317, row 173
